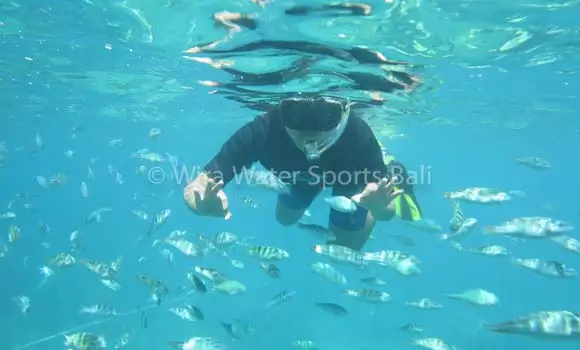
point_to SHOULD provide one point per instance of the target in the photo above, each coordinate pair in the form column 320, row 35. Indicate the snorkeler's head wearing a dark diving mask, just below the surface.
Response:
column 314, row 123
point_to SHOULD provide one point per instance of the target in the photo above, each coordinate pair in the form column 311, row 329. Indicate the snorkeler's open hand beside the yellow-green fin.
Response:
column 379, row 197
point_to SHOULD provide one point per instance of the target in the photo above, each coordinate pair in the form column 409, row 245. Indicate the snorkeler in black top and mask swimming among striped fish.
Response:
column 323, row 143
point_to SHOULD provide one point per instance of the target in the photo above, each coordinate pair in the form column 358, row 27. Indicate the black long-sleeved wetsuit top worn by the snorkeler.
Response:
column 265, row 140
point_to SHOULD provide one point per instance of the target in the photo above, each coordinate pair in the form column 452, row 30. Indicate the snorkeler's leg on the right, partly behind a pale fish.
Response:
column 351, row 230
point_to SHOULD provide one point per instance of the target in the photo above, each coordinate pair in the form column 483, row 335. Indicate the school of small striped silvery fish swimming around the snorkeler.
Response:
column 199, row 279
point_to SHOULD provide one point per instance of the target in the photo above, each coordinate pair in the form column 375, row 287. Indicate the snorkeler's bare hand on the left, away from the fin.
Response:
column 204, row 196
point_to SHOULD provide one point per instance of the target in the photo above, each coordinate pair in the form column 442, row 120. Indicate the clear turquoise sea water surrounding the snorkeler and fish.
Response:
column 82, row 74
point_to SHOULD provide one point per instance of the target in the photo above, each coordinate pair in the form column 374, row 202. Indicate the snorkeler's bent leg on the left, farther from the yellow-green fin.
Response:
column 291, row 206
